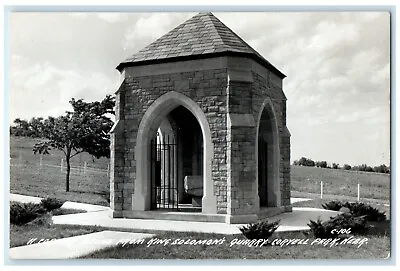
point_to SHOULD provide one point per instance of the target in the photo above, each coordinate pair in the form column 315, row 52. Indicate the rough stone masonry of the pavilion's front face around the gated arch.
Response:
column 207, row 88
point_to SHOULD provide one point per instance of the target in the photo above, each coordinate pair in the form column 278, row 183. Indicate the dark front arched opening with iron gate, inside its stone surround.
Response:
column 176, row 157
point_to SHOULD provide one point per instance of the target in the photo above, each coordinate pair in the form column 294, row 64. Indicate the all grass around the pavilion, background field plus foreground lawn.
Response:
column 31, row 177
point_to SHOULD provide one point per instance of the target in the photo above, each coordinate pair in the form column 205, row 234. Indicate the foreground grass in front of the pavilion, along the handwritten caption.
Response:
column 376, row 247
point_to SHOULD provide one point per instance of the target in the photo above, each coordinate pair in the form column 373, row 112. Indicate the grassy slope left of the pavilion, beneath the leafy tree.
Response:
column 27, row 177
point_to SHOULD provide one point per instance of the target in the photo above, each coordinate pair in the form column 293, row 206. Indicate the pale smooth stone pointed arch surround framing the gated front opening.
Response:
column 148, row 125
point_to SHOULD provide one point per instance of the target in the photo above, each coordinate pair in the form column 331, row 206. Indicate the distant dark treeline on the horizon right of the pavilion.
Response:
column 303, row 161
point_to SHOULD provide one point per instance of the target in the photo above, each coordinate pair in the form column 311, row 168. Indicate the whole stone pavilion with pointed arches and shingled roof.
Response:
column 200, row 131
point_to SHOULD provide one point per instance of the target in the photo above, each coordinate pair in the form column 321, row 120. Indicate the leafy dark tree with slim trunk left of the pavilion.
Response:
column 83, row 130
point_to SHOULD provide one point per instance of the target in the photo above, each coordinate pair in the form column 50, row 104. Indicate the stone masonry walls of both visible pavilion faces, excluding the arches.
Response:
column 233, row 148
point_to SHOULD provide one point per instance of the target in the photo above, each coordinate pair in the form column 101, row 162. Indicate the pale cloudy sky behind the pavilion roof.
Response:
column 337, row 66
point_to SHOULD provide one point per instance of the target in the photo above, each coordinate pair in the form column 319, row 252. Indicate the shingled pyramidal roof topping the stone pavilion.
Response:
column 202, row 36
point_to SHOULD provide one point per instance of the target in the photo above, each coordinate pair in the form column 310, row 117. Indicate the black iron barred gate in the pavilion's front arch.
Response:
column 164, row 172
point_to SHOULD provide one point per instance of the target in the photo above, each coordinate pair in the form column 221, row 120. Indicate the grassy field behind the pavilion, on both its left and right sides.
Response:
column 28, row 178
